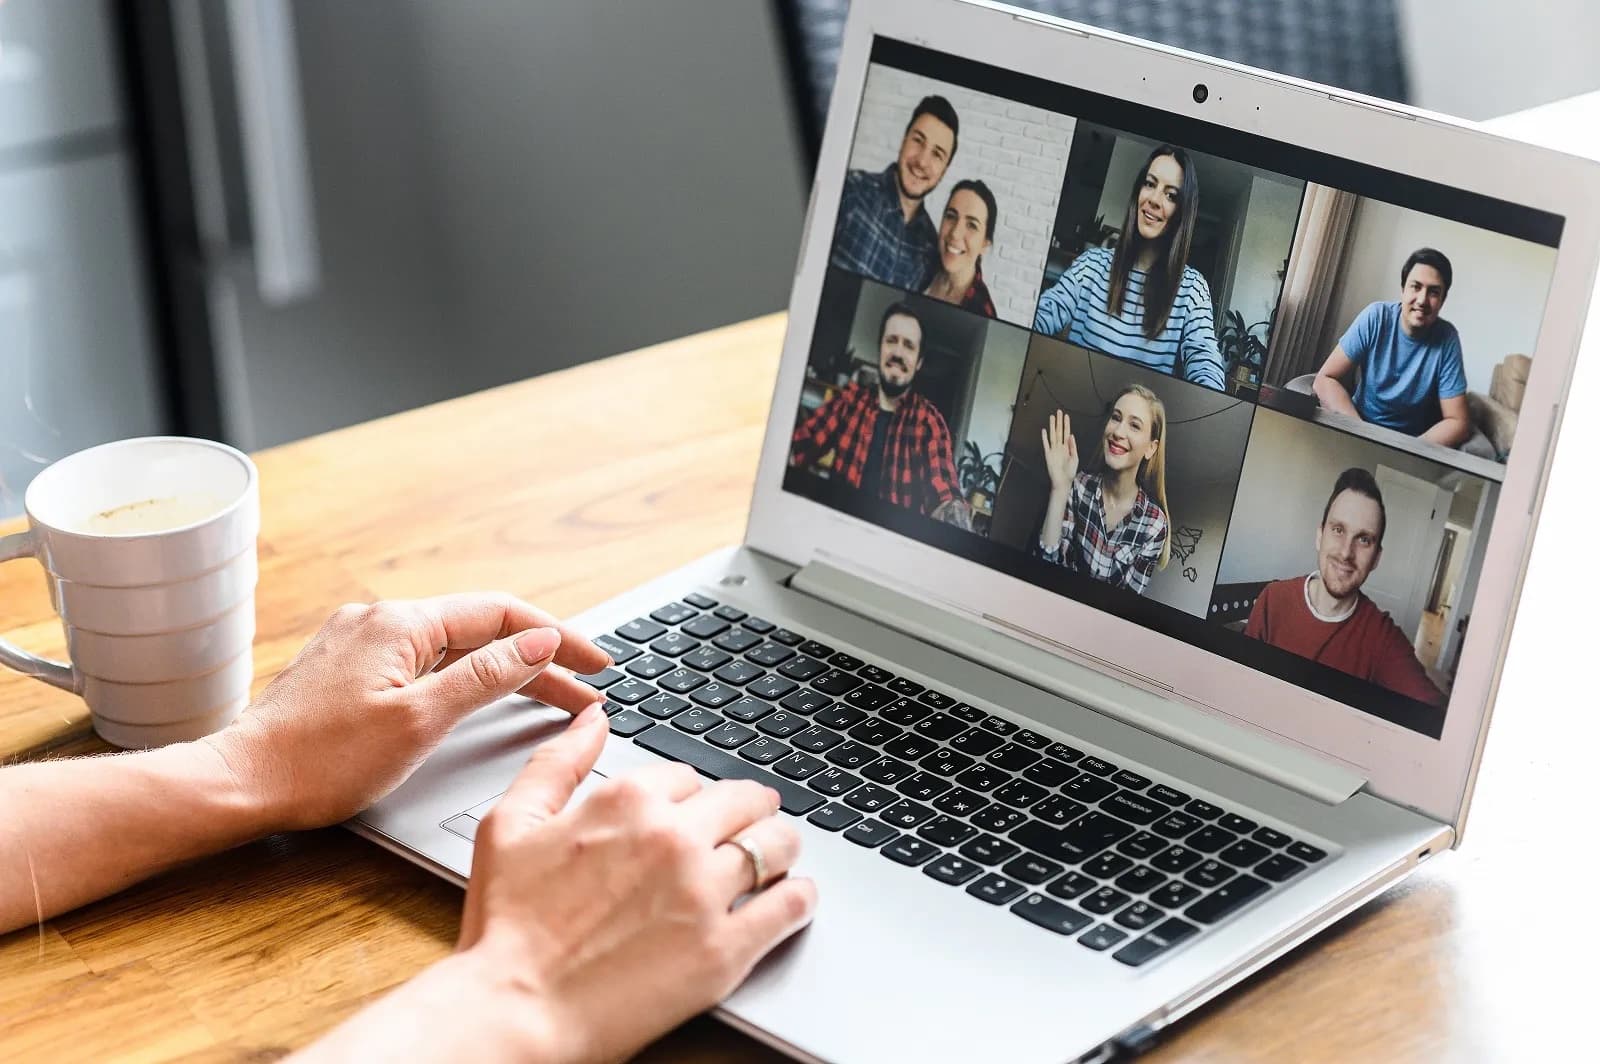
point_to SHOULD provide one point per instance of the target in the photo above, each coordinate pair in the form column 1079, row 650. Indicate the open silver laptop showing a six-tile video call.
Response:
column 1150, row 482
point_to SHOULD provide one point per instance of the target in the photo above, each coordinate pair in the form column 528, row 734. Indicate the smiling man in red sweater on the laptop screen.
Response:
column 1326, row 617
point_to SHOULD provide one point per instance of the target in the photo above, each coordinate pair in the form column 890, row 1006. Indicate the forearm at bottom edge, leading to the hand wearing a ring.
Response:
column 462, row 1009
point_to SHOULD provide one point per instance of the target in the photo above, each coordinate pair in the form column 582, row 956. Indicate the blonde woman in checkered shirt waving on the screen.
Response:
column 1111, row 521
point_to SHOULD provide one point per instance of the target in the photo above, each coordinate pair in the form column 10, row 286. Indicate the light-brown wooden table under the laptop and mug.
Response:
column 574, row 487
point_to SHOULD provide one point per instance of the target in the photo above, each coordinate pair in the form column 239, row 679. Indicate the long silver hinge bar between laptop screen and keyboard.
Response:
column 1084, row 679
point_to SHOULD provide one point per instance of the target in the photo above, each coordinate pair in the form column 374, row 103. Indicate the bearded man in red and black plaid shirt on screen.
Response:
column 887, row 438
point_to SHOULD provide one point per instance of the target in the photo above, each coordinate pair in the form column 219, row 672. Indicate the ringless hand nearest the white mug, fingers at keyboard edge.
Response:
column 380, row 687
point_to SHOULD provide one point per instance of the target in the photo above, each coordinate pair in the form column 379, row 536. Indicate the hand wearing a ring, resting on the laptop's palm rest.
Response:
column 615, row 918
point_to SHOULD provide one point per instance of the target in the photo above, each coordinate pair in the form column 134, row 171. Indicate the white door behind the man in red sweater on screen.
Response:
column 1417, row 511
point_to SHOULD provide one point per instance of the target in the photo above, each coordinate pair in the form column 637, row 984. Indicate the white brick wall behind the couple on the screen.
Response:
column 1018, row 151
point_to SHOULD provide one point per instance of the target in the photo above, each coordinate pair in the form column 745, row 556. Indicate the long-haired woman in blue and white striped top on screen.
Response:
column 1142, row 300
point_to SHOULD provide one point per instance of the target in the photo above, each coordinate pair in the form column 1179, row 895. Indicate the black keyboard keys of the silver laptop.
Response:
column 1068, row 841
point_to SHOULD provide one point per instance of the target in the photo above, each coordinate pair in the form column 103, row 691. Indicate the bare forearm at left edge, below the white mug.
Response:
column 86, row 828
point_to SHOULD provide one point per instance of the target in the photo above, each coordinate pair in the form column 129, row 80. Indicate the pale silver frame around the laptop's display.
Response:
column 1423, row 774
